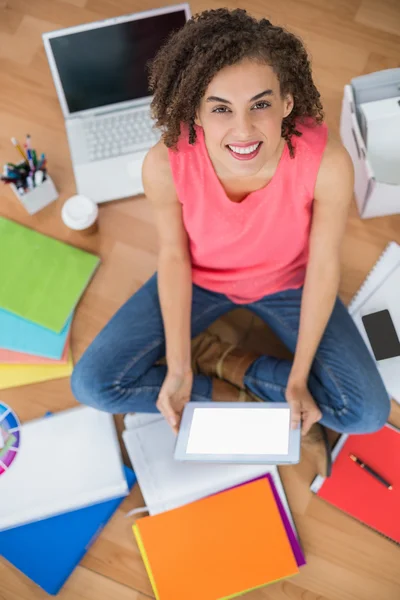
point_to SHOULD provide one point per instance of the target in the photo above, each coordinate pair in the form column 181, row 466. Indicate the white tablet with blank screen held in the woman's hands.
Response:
column 238, row 432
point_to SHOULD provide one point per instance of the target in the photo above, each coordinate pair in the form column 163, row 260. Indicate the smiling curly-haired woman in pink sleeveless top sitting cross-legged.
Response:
column 251, row 198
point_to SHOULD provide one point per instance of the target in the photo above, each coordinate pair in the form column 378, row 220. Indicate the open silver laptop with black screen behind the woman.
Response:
column 100, row 71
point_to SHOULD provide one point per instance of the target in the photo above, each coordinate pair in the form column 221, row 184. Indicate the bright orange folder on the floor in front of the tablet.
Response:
column 217, row 547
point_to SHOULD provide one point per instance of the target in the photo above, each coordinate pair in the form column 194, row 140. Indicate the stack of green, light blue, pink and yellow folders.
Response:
column 42, row 280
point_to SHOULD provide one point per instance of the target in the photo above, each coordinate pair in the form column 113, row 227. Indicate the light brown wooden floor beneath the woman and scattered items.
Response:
column 346, row 561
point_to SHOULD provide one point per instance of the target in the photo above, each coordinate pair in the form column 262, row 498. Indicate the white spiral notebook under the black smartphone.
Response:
column 381, row 290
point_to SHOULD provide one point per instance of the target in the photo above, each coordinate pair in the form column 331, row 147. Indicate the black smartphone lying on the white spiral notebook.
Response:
column 382, row 334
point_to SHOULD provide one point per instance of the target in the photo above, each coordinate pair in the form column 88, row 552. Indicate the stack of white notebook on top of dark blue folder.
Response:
column 69, row 475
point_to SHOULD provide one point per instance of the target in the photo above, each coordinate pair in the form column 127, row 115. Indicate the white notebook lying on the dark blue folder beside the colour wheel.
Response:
column 65, row 461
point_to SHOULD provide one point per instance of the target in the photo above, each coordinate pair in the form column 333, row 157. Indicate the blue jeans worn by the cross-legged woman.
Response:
column 118, row 374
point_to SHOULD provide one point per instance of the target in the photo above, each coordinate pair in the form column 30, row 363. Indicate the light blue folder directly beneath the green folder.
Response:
column 20, row 335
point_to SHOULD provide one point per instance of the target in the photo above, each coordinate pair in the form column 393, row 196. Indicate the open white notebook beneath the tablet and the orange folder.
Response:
column 166, row 483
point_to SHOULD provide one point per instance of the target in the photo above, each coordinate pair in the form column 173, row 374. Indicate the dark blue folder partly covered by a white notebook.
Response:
column 49, row 550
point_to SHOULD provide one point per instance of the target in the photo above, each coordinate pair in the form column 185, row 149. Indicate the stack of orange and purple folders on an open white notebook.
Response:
column 170, row 486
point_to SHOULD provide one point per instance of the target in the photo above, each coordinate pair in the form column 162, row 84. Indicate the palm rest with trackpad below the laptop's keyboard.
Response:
column 112, row 178
